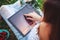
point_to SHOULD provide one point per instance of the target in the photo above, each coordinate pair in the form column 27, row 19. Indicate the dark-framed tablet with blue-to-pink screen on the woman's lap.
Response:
column 18, row 19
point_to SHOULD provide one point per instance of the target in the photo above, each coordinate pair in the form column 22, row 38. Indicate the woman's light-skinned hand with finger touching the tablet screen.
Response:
column 33, row 16
